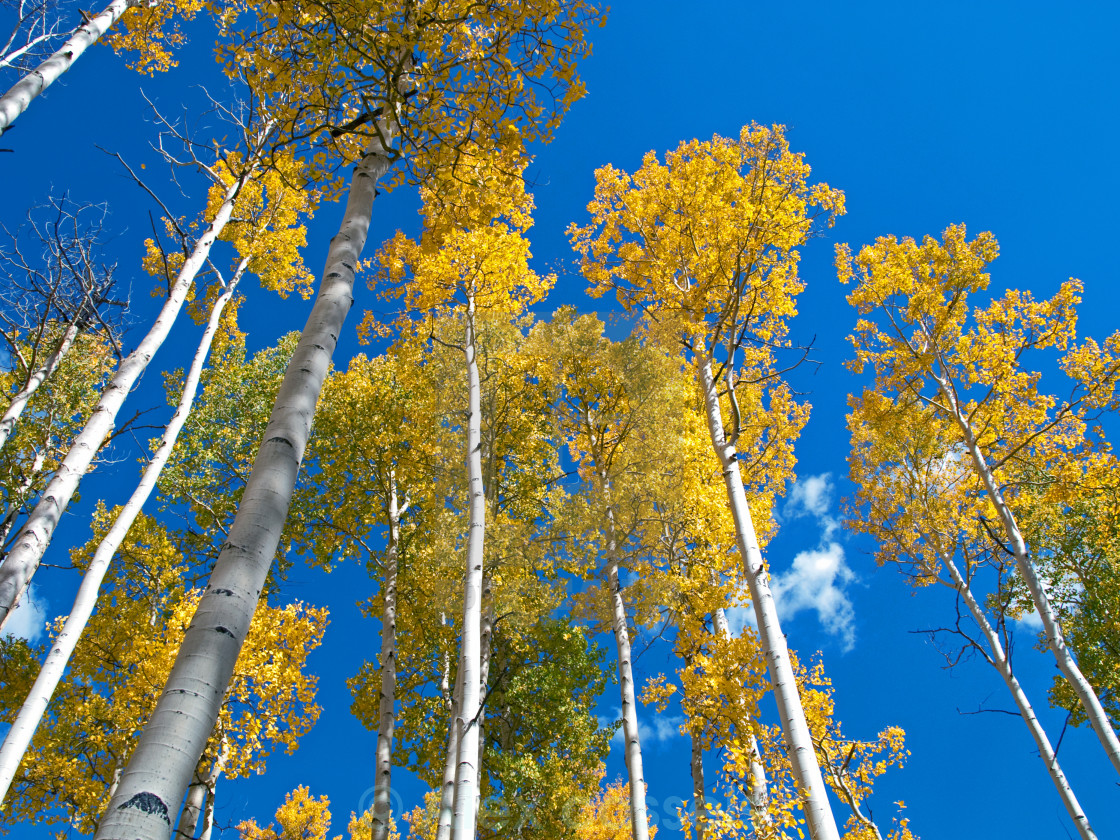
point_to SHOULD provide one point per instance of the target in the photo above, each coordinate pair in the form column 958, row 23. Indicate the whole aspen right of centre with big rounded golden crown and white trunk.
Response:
column 706, row 247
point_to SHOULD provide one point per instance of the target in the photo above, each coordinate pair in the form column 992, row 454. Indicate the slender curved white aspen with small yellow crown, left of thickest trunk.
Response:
column 265, row 236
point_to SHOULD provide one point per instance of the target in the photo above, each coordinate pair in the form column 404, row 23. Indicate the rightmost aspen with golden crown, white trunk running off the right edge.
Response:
column 913, row 333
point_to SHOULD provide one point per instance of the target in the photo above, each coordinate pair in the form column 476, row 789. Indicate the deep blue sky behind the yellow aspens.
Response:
column 1001, row 116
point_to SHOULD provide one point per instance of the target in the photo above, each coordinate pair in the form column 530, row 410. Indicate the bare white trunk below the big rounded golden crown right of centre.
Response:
column 807, row 772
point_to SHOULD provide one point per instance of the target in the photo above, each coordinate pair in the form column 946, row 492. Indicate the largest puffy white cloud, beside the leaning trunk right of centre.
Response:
column 817, row 583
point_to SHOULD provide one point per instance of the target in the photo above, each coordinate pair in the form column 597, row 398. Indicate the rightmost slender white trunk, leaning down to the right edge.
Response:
column 1052, row 629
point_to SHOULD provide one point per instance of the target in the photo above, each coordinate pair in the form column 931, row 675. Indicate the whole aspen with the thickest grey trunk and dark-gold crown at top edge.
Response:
column 543, row 42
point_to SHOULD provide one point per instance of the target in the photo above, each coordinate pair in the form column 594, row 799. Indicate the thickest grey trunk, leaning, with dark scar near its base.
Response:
column 176, row 734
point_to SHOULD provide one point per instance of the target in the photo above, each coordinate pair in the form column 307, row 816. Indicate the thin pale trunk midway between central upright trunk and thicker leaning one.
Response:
column 640, row 822
